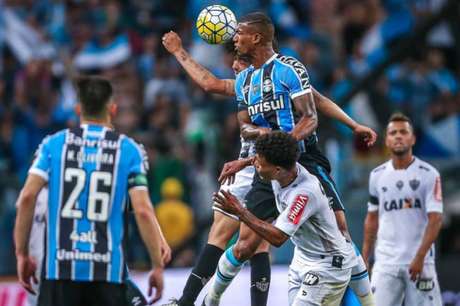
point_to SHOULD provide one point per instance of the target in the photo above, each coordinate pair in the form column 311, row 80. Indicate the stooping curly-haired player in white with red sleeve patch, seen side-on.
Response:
column 321, row 267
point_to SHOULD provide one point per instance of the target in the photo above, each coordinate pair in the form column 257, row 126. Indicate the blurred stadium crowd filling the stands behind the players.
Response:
column 189, row 134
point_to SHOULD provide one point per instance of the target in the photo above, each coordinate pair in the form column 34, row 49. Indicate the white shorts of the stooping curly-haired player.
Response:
column 317, row 286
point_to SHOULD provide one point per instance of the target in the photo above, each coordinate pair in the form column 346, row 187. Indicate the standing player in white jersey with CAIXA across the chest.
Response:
column 404, row 216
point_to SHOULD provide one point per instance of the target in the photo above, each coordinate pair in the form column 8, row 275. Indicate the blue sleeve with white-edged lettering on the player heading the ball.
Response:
column 297, row 80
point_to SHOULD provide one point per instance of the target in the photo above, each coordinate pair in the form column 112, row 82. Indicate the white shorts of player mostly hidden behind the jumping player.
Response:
column 241, row 186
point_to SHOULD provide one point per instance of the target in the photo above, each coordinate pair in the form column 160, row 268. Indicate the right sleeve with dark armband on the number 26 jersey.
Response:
column 138, row 168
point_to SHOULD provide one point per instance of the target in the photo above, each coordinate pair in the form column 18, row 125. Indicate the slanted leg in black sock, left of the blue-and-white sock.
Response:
column 222, row 230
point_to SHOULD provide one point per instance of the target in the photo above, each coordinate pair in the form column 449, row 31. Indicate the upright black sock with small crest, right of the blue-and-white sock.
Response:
column 260, row 279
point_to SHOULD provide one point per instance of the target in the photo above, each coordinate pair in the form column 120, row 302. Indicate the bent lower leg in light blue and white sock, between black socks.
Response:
column 230, row 263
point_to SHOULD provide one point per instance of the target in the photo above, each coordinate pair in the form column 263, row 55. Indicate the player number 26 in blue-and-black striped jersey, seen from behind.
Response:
column 91, row 170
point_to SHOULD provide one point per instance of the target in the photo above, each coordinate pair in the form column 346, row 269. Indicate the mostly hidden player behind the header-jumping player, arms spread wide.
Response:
column 224, row 225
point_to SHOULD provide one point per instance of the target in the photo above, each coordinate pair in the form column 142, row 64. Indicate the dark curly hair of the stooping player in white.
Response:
column 278, row 148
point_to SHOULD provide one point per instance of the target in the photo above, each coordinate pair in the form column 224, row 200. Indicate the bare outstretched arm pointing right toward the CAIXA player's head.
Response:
column 327, row 107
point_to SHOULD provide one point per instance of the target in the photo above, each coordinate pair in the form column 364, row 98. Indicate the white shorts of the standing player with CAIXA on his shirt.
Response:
column 392, row 285
